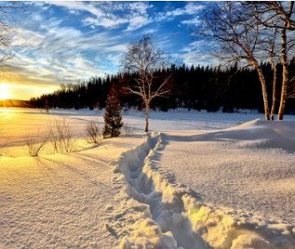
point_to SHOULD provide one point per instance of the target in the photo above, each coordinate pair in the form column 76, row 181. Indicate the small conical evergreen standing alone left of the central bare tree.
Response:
column 112, row 115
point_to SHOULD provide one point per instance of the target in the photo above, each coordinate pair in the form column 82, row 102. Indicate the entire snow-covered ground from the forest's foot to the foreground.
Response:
column 199, row 180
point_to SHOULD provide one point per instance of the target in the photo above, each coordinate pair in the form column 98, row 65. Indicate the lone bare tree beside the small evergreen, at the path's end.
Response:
column 142, row 60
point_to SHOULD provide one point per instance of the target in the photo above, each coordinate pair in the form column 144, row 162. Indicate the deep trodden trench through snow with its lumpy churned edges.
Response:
column 158, row 213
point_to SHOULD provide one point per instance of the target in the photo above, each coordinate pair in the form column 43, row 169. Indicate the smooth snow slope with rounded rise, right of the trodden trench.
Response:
column 249, row 167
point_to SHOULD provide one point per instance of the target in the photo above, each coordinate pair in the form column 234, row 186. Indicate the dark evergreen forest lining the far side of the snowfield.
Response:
column 196, row 87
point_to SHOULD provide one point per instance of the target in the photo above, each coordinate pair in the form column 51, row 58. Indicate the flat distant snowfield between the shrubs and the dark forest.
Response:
column 16, row 122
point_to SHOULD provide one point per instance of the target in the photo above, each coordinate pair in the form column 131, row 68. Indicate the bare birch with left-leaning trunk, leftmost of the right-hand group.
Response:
column 239, row 38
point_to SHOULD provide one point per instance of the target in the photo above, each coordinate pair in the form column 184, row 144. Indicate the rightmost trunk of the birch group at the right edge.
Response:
column 285, row 75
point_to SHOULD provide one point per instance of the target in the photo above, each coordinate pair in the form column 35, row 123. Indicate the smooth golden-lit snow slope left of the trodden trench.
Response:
column 59, row 201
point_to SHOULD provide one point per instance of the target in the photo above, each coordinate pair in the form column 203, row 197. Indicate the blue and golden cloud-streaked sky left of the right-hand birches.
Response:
column 68, row 42
